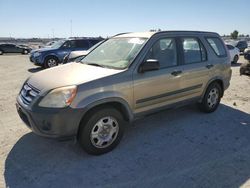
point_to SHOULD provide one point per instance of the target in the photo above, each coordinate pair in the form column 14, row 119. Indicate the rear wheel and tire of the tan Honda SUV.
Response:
column 211, row 99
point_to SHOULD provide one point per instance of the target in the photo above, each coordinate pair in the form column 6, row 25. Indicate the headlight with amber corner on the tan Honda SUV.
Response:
column 59, row 98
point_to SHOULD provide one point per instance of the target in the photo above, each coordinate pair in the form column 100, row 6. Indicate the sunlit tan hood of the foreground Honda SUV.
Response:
column 68, row 74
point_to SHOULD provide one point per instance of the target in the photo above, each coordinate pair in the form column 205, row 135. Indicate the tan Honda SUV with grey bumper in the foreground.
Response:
column 127, row 76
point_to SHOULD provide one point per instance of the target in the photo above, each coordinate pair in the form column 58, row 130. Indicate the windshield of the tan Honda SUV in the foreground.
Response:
column 115, row 53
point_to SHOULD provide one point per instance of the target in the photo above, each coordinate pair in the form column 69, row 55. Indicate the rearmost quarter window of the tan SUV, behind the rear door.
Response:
column 217, row 46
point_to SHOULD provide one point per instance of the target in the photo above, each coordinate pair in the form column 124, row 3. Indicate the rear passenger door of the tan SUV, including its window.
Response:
column 195, row 67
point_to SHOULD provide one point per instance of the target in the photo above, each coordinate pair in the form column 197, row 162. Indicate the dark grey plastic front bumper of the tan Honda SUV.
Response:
column 48, row 122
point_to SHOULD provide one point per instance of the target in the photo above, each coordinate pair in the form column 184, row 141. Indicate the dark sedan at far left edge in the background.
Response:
column 13, row 48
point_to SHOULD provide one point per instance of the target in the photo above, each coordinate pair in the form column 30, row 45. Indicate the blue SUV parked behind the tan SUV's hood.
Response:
column 50, row 57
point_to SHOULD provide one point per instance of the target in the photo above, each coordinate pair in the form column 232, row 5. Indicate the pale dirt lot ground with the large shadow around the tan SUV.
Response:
column 174, row 148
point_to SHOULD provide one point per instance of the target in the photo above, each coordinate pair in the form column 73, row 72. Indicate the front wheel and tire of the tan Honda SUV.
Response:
column 102, row 131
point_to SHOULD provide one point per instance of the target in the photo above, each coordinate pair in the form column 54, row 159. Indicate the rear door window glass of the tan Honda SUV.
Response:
column 194, row 51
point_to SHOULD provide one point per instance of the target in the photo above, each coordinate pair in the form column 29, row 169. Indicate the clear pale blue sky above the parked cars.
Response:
column 45, row 18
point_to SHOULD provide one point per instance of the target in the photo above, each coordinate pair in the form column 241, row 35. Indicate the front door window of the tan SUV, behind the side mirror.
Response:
column 164, row 50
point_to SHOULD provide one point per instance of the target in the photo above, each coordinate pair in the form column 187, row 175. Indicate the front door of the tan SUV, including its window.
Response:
column 158, row 88
